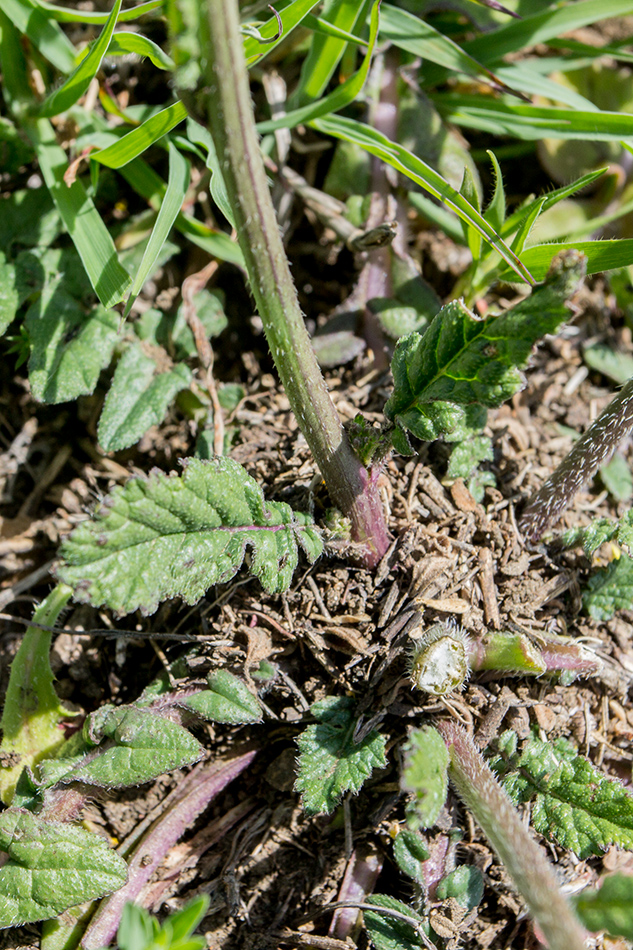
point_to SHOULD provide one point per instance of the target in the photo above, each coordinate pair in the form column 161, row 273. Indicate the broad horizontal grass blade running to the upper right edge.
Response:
column 533, row 122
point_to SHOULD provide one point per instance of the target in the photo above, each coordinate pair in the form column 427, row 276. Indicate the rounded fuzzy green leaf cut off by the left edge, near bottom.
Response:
column 52, row 866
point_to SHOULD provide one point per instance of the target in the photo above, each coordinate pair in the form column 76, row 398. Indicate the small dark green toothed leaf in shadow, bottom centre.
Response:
column 331, row 763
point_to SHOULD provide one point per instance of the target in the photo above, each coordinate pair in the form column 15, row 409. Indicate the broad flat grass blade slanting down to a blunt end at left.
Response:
column 82, row 220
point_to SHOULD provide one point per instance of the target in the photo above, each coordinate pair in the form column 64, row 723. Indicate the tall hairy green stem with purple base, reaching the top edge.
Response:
column 230, row 117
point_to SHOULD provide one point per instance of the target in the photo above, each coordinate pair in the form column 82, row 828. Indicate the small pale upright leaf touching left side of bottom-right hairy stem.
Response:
column 425, row 776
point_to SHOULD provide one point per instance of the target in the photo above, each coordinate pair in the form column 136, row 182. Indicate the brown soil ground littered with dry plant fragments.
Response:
column 334, row 632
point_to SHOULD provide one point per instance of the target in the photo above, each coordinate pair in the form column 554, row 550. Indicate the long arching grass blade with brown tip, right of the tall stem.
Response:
column 422, row 174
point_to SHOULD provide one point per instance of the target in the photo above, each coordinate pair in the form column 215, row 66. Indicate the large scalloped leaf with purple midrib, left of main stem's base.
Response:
column 177, row 535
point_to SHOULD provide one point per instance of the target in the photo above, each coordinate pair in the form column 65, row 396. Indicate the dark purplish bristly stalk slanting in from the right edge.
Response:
column 592, row 450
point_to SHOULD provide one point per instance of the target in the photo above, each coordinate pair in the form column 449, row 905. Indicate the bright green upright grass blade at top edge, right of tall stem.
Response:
column 326, row 51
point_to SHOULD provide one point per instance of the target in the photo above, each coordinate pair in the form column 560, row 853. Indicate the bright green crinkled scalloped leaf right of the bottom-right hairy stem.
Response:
column 572, row 802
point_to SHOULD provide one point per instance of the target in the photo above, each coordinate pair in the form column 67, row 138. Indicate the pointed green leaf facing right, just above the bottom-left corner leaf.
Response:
column 144, row 746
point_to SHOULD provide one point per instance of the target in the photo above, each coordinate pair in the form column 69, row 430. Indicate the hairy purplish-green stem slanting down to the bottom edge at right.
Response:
column 523, row 859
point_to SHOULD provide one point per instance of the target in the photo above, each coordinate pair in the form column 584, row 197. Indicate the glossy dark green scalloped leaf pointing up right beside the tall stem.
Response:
column 463, row 361
